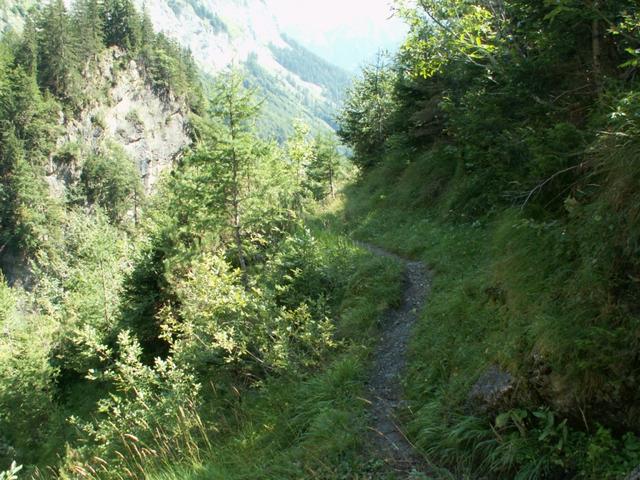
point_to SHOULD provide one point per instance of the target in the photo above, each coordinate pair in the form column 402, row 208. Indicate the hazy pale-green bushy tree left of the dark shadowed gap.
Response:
column 86, row 285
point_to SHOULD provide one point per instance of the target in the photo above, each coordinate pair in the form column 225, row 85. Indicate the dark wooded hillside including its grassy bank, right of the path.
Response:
column 503, row 151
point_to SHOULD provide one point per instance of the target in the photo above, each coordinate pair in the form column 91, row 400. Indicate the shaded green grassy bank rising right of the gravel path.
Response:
column 494, row 301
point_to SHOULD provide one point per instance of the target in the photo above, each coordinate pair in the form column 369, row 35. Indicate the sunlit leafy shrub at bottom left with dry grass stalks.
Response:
column 151, row 416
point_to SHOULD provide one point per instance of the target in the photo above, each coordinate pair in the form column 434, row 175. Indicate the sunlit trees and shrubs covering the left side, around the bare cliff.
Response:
column 130, row 323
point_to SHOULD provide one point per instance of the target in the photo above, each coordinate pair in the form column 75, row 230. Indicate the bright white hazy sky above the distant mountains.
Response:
column 345, row 32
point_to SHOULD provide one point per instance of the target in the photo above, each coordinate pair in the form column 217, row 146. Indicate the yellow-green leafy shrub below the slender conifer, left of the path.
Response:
column 219, row 322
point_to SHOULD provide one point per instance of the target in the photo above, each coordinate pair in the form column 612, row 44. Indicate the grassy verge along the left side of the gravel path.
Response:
column 312, row 427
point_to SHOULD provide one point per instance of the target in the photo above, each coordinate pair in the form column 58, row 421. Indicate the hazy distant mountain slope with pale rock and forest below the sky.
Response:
column 295, row 83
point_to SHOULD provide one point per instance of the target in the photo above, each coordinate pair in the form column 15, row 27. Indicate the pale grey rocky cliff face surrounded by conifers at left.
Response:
column 151, row 129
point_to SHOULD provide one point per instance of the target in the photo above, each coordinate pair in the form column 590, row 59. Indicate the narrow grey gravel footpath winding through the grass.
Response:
column 388, row 440
